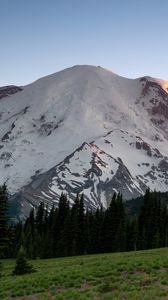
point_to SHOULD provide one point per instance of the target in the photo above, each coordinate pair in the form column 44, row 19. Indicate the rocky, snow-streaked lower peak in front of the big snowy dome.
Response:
column 101, row 168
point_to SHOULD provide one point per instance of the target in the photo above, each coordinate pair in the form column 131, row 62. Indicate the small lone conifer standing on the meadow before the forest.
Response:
column 22, row 266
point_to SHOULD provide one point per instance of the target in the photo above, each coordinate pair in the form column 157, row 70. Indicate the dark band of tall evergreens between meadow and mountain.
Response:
column 68, row 230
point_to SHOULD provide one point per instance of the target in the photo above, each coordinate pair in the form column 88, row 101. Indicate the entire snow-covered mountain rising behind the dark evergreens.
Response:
column 84, row 129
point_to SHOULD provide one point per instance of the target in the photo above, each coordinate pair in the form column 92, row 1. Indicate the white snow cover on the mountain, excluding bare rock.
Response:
column 53, row 116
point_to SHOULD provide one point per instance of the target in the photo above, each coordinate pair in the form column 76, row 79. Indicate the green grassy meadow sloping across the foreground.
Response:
column 139, row 275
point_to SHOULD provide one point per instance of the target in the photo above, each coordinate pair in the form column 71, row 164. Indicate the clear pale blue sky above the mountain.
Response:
column 41, row 37
